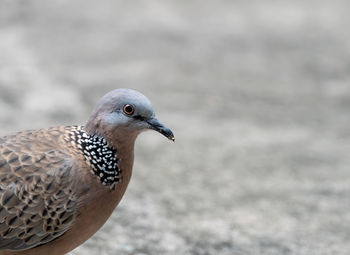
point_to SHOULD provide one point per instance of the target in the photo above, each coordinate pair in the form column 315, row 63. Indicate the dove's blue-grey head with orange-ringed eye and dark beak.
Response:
column 122, row 114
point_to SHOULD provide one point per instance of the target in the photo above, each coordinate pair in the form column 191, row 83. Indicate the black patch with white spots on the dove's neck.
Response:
column 99, row 155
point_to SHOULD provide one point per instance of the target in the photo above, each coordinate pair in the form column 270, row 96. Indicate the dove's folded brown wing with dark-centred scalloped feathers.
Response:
column 37, row 201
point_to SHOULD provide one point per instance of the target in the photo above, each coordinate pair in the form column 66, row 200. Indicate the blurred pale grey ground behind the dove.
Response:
column 257, row 93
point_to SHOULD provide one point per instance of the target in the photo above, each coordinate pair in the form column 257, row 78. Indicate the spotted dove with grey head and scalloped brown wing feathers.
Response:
column 59, row 185
